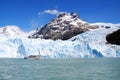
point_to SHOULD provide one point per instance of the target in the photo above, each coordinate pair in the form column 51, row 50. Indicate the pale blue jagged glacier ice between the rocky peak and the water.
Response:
column 90, row 44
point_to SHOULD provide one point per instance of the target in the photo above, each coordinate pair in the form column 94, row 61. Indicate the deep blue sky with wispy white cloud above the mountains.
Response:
column 30, row 14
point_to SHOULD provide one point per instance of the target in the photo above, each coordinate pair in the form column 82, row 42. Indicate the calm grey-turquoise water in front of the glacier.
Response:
column 60, row 69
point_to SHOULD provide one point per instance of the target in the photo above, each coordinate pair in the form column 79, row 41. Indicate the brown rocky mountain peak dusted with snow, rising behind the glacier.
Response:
column 63, row 27
